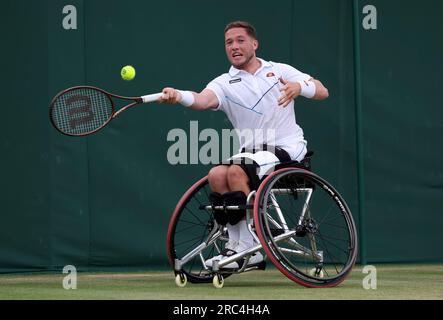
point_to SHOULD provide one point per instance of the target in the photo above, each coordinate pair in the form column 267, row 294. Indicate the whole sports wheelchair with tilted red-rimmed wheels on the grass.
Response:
column 300, row 221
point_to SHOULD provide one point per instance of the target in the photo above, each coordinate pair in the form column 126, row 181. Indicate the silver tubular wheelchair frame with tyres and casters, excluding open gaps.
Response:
column 286, row 235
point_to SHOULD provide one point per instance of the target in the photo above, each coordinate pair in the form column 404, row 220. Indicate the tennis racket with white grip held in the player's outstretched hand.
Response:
column 83, row 110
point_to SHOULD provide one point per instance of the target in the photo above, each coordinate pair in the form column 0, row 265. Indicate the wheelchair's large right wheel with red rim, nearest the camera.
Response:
column 305, row 227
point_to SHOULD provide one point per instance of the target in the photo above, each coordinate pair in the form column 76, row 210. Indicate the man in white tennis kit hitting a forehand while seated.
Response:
column 255, row 95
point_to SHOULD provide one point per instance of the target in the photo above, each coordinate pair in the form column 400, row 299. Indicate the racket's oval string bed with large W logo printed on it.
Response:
column 81, row 111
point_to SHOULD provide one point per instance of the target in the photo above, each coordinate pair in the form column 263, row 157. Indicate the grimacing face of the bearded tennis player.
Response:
column 240, row 47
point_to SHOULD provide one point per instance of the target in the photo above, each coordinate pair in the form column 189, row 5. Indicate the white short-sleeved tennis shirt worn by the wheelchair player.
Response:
column 250, row 103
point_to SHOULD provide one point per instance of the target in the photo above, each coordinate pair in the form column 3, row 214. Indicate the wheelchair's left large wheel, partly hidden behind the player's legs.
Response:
column 189, row 227
